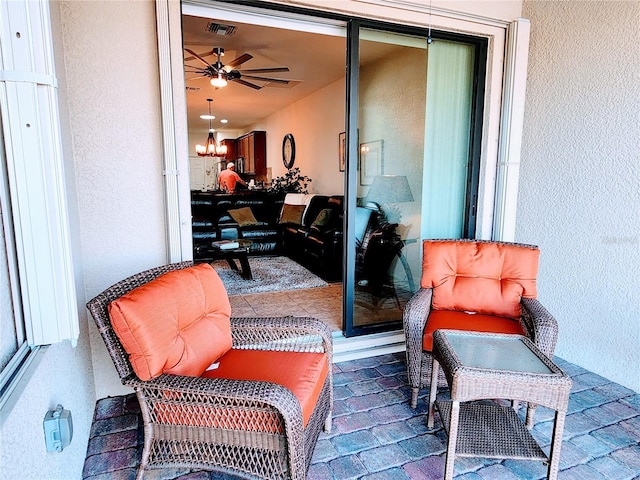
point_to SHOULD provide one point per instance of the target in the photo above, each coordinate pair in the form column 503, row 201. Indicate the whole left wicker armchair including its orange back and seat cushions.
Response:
column 256, row 411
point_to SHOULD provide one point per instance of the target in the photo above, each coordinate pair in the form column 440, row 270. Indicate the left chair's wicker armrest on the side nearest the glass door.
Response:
column 298, row 334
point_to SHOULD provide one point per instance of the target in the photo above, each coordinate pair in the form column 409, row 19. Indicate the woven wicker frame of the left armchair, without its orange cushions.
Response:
column 212, row 422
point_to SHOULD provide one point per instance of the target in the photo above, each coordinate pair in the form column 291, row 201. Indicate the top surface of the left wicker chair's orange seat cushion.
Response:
column 302, row 373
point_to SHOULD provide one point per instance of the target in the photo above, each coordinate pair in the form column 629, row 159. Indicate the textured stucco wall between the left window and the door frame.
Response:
column 111, row 63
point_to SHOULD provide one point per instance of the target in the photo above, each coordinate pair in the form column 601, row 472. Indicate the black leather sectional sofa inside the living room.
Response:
column 314, row 240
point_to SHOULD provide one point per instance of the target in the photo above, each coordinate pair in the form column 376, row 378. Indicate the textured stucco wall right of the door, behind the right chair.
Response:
column 580, row 178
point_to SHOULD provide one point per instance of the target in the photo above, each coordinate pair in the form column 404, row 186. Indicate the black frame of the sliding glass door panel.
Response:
column 351, row 173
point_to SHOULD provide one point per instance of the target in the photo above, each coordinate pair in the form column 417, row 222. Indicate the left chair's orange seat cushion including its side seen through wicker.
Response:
column 303, row 374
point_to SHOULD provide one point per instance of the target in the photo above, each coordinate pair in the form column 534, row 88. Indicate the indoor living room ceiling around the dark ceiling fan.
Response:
column 314, row 62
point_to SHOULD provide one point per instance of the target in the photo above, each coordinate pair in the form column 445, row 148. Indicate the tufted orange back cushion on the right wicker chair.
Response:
column 482, row 277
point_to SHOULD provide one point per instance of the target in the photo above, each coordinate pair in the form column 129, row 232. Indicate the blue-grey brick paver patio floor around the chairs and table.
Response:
column 376, row 435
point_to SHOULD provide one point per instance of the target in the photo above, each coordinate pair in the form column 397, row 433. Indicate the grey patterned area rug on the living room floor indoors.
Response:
column 270, row 274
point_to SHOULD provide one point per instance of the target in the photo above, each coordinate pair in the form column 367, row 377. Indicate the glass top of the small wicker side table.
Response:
column 495, row 352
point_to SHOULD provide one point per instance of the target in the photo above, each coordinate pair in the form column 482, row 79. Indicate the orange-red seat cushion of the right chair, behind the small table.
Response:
column 441, row 319
